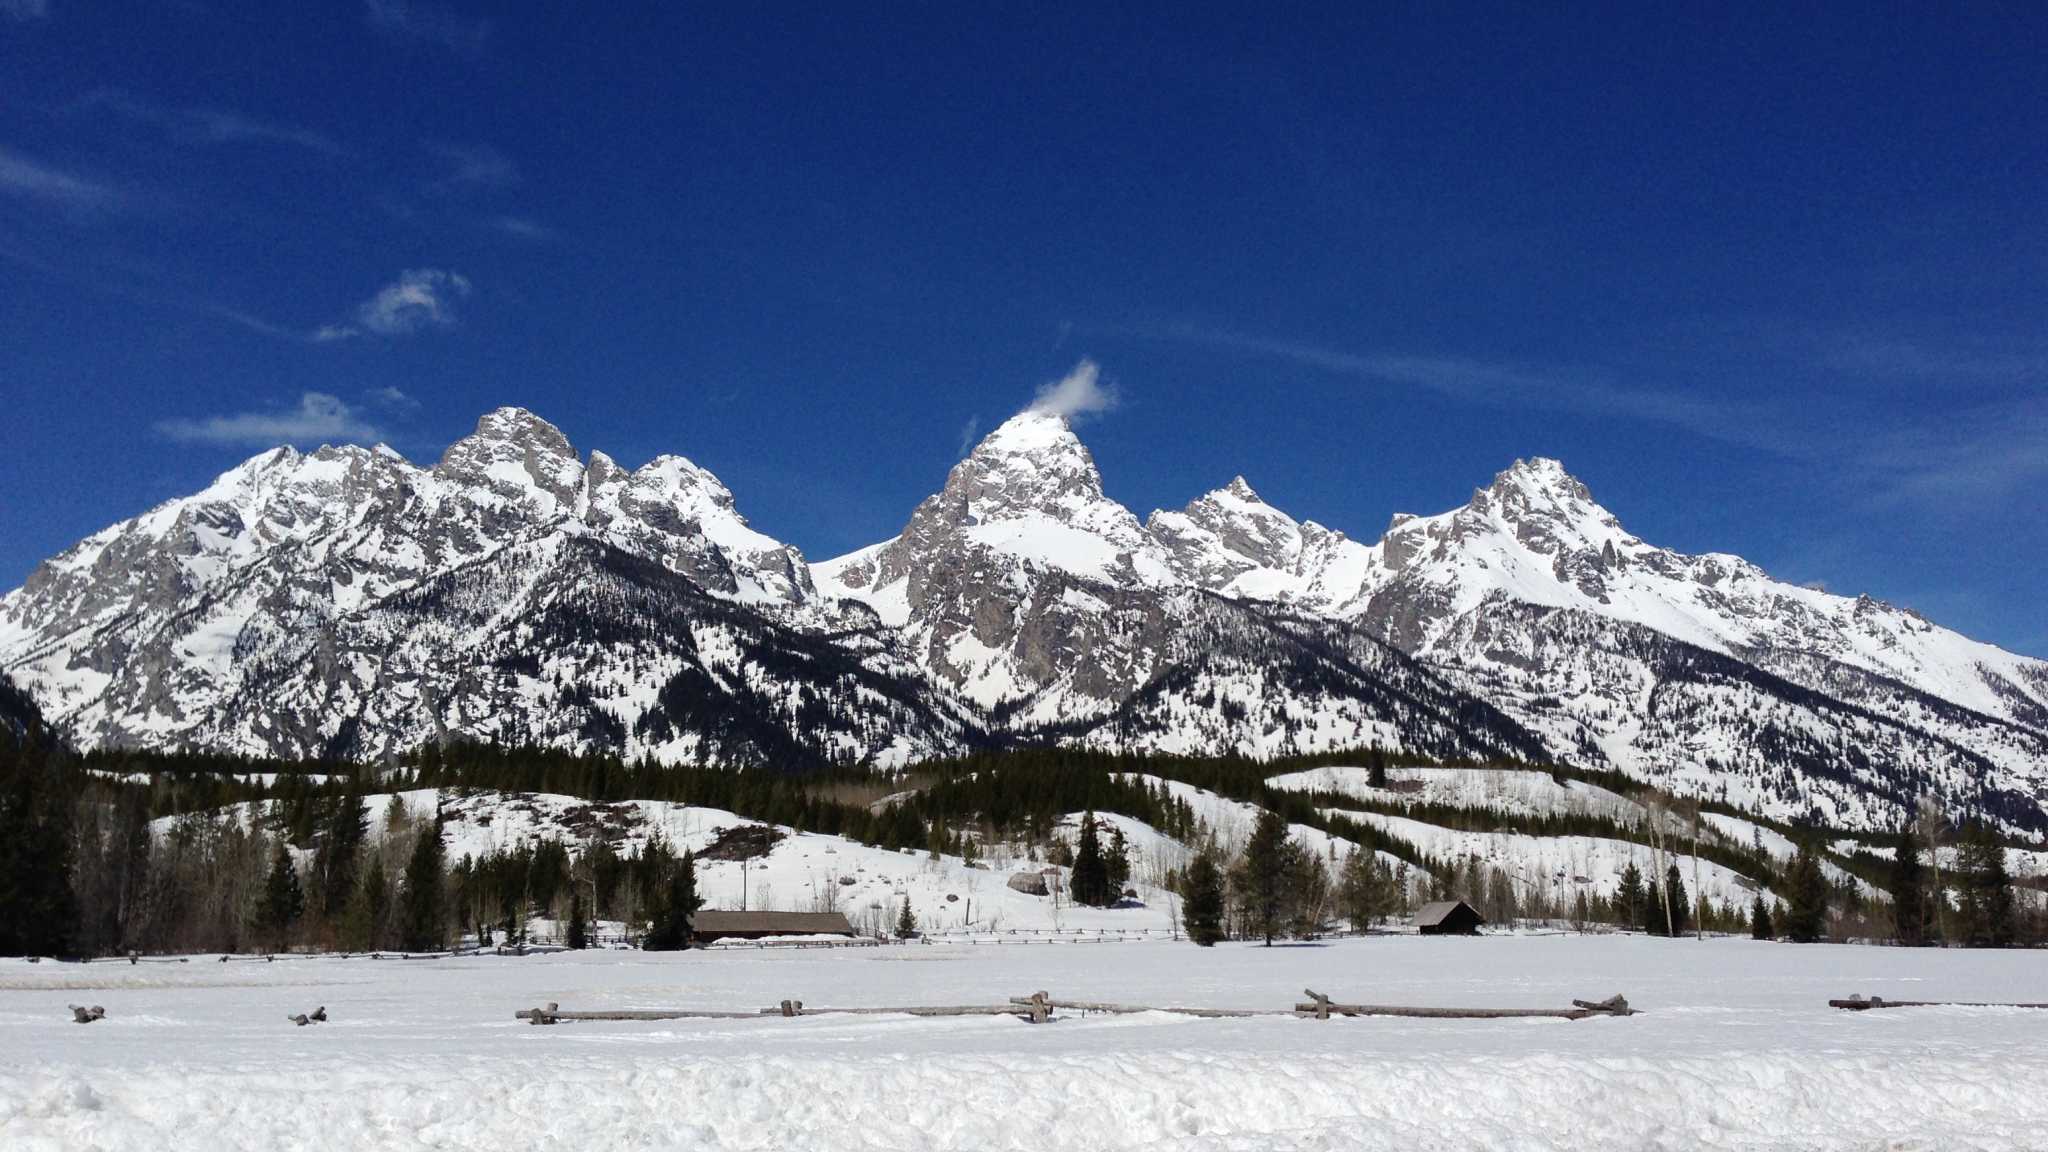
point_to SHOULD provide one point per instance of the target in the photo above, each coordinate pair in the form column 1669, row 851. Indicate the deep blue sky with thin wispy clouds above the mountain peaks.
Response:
column 1770, row 284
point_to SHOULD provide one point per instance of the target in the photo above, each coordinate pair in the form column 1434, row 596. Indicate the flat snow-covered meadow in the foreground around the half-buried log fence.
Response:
column 1734, row 1046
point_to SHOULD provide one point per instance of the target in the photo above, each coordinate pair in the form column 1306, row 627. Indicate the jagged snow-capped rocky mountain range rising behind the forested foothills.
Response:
column 351, row 604
